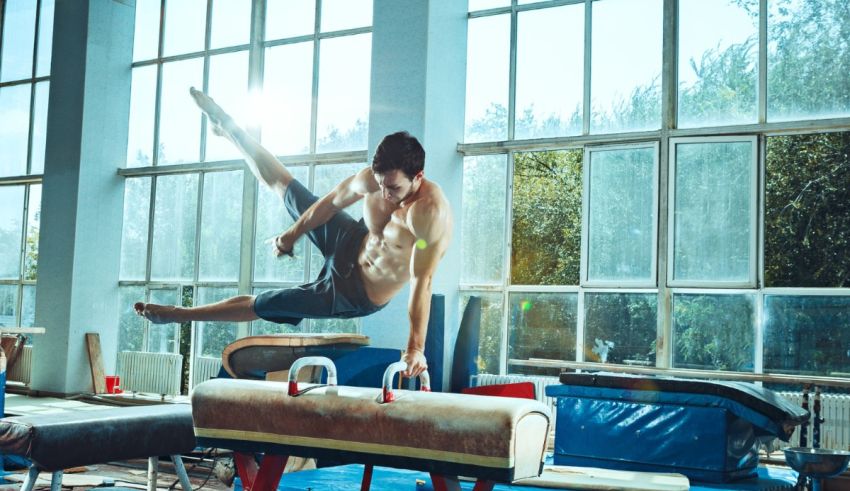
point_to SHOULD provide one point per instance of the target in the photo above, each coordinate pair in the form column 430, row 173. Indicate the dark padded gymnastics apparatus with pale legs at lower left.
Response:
column 53, row 442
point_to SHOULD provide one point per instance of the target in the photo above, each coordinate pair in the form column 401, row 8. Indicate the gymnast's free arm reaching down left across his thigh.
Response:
column 345, row 194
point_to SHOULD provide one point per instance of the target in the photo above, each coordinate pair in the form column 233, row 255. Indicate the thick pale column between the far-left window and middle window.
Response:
column 82, row 200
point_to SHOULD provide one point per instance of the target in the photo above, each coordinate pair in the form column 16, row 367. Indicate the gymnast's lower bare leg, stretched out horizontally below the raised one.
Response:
column 235, row 309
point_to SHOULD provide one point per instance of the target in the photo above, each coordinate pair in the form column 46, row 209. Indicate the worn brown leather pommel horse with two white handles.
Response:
column 491, row 439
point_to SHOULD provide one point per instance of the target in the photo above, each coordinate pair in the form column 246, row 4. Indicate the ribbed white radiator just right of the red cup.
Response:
column 155, row 373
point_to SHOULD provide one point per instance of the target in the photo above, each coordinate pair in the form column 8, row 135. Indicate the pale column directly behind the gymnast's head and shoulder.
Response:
column 419, row 85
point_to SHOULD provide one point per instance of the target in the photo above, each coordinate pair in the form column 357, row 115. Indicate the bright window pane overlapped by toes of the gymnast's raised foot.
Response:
column 179, row 119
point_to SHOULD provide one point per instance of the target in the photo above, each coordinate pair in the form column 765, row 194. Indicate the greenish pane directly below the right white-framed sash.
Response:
column 714, row 332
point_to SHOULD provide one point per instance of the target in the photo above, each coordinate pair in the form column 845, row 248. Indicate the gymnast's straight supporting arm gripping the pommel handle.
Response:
column 431, row 227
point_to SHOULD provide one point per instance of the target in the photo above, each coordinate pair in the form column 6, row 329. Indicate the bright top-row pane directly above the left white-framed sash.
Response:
column 626, row 65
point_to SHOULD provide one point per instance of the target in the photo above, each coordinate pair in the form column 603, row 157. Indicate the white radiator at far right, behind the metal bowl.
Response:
column 835, row 411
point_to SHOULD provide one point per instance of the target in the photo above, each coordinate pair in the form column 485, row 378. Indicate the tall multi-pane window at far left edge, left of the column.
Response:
column 25, row 48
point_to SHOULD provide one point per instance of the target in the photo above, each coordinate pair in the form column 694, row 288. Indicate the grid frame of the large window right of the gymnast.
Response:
column 757, row 131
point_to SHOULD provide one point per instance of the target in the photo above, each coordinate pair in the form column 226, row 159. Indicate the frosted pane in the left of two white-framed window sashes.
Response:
column 621, row 233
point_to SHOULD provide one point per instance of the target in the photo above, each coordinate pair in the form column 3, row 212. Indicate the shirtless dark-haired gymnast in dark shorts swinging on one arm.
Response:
column 406, row 229
